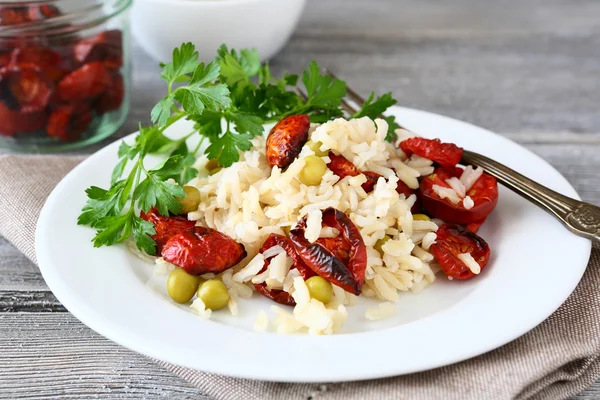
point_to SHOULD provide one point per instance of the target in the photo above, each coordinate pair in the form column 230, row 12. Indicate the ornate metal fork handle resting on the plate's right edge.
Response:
column 581, row 218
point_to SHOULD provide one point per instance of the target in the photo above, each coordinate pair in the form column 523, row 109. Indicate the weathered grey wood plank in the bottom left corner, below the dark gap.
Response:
column 54, row 356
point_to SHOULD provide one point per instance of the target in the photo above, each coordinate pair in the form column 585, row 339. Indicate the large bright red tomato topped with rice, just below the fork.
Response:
column 484, row 194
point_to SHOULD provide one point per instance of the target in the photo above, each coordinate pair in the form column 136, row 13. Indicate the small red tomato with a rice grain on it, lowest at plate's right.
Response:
column 453, row 240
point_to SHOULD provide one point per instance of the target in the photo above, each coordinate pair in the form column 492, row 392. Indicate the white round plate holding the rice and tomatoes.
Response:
column 535, row 265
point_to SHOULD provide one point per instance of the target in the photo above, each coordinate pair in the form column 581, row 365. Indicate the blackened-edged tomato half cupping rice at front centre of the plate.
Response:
column 350, row 274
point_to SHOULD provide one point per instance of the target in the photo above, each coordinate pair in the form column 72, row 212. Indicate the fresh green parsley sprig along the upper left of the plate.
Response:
column 229, row 100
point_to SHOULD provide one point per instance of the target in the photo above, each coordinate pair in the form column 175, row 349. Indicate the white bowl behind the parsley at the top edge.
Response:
column 161, row 25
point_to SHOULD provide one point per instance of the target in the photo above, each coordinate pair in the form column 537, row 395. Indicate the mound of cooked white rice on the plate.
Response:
column 250, row 200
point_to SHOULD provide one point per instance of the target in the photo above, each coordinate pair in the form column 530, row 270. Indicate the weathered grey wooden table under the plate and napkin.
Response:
column 527, row 69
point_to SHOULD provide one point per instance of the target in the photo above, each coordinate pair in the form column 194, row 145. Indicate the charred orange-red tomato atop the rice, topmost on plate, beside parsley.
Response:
column 286, row 140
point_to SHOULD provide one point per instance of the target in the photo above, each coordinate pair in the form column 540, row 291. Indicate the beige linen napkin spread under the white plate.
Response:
column 557, row 359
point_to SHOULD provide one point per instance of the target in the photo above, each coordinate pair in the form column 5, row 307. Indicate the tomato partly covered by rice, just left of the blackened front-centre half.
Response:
column 279, row 296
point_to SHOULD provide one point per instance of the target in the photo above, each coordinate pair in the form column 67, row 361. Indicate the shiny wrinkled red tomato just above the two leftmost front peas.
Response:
column 203, row 250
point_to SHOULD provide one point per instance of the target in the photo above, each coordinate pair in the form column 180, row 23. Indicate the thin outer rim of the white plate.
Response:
column 87, row 317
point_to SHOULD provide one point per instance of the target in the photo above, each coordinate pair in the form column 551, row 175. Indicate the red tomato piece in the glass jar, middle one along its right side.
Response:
column 85, row 83
